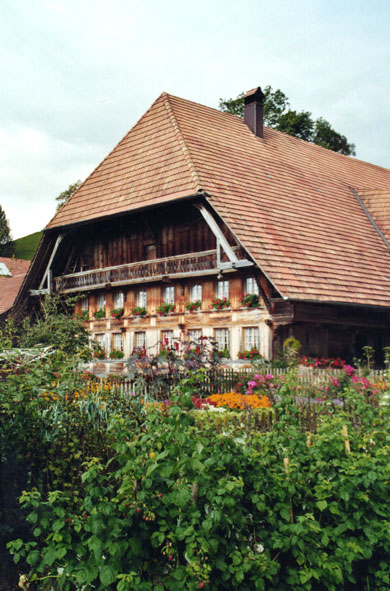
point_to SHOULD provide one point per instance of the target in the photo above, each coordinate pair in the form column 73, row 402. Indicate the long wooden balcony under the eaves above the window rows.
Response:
column 192, row 265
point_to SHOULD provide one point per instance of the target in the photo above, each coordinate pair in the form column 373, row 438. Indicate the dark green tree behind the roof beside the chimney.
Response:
column 278, row 115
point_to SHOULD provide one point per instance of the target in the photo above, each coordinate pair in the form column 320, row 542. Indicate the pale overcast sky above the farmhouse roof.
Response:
column 76, row 75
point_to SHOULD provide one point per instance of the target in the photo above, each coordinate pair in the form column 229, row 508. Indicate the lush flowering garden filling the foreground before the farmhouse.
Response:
column 278, row 483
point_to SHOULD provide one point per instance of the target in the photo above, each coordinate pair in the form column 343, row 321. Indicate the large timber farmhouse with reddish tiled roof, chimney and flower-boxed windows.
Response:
column 199, row 223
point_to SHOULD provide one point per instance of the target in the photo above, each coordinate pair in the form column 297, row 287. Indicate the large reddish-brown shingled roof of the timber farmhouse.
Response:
column 290, row 203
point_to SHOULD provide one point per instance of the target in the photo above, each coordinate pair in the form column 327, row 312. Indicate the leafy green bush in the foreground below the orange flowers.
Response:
column 180, row 506
